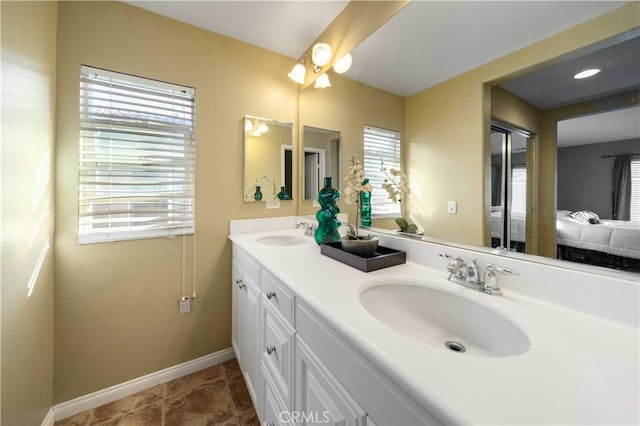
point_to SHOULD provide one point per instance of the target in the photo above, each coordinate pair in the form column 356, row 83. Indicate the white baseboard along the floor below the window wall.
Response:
column 110, row 394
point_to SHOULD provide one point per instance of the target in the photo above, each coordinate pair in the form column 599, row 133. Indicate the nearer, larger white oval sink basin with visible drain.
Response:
column 438, row 318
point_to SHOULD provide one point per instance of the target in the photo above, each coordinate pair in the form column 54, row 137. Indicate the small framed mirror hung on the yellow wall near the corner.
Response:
column 268, row 159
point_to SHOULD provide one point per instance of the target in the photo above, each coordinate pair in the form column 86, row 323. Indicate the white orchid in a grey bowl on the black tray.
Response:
column 353, row 242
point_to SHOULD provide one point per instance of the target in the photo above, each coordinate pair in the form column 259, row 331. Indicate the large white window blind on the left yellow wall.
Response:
column 137, row 158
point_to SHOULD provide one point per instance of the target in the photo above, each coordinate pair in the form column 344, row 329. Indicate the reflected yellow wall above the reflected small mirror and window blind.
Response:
column 346, row 107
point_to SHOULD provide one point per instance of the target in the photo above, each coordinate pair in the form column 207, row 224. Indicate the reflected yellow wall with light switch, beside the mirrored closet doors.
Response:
column 447, row 130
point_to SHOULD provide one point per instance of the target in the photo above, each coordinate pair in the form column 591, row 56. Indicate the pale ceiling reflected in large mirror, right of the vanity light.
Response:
column 429, row 42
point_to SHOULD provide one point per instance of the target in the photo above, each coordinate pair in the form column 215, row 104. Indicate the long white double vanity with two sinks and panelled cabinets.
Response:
column 320, row 342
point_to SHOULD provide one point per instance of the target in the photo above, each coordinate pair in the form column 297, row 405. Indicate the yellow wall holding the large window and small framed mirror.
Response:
column 116, row 304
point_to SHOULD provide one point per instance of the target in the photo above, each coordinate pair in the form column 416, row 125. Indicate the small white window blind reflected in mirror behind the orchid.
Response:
column 381, row 144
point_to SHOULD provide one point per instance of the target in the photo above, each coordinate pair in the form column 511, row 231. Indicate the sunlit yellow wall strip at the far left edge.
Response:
column 28, row 113
